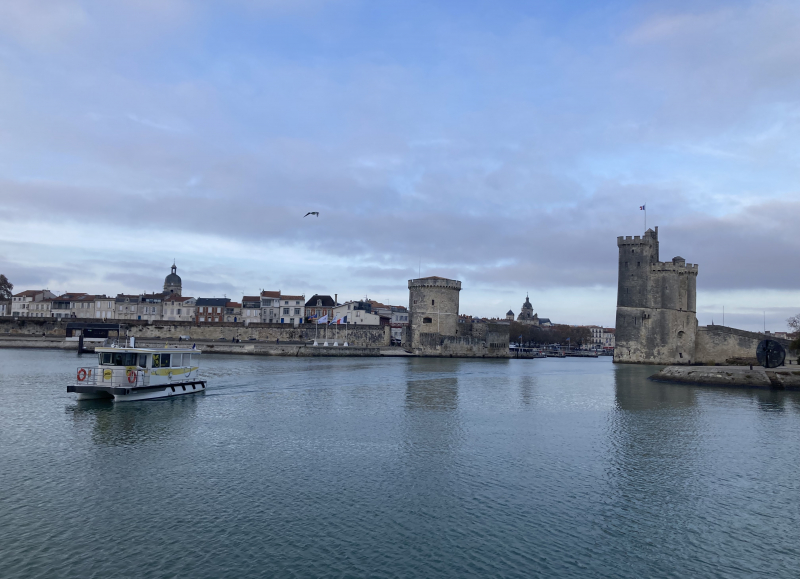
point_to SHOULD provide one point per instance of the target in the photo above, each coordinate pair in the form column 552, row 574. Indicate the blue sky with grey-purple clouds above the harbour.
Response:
column 505, row 144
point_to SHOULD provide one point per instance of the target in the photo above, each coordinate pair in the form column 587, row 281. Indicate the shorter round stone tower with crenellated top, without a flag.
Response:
column 432, row 307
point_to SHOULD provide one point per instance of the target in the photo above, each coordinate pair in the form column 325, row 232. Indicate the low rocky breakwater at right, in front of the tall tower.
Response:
column 783, row 378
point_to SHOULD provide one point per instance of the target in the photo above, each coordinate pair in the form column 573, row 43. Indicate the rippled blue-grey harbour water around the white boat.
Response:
column 363, row 467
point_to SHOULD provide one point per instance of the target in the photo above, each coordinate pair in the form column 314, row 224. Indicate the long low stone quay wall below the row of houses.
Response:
column 357, row 336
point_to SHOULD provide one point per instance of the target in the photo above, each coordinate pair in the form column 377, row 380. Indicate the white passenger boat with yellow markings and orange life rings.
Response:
column 128, row 373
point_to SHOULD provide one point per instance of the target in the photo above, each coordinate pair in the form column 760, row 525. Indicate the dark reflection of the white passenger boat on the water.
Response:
column 132, row 423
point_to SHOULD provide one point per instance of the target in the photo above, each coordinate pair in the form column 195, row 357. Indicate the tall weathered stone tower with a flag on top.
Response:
column 656, row 304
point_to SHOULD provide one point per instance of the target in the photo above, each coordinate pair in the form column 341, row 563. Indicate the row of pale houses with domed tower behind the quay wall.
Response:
column 268, row 307
